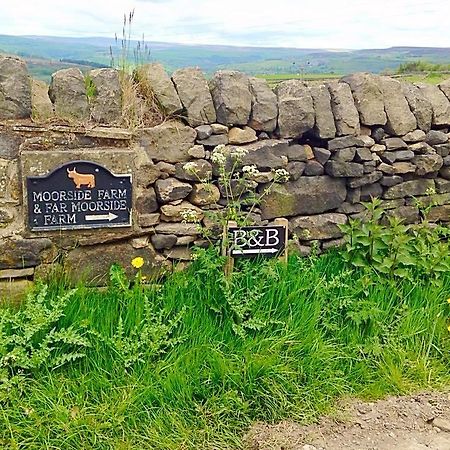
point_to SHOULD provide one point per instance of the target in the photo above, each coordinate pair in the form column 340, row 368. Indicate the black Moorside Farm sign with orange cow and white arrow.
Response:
column 77, row 195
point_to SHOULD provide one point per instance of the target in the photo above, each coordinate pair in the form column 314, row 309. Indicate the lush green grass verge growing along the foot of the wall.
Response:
column 276, row 342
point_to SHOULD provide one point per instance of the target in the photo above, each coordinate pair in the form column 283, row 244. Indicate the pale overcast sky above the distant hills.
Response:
column 288, row 23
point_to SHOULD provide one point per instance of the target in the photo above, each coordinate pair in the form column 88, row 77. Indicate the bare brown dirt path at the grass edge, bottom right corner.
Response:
column 415, row 422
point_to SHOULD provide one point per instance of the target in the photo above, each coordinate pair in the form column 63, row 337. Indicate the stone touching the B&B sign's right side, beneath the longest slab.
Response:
column 323, row 226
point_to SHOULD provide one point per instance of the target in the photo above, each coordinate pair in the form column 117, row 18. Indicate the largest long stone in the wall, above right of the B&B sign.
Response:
column 307, row 195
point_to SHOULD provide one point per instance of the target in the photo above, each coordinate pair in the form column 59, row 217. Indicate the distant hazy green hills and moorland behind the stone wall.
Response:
column 45, row 54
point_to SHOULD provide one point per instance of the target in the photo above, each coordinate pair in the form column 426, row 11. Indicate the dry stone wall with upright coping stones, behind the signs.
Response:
column 342, row 143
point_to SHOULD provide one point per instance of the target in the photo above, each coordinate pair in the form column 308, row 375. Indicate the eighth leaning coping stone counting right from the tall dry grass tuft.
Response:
column 369, row 99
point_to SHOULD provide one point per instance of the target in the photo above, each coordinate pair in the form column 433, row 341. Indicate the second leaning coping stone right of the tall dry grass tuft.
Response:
column 195, row 96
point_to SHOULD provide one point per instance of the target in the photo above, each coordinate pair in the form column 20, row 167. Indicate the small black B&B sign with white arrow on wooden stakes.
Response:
column 254, row 241
